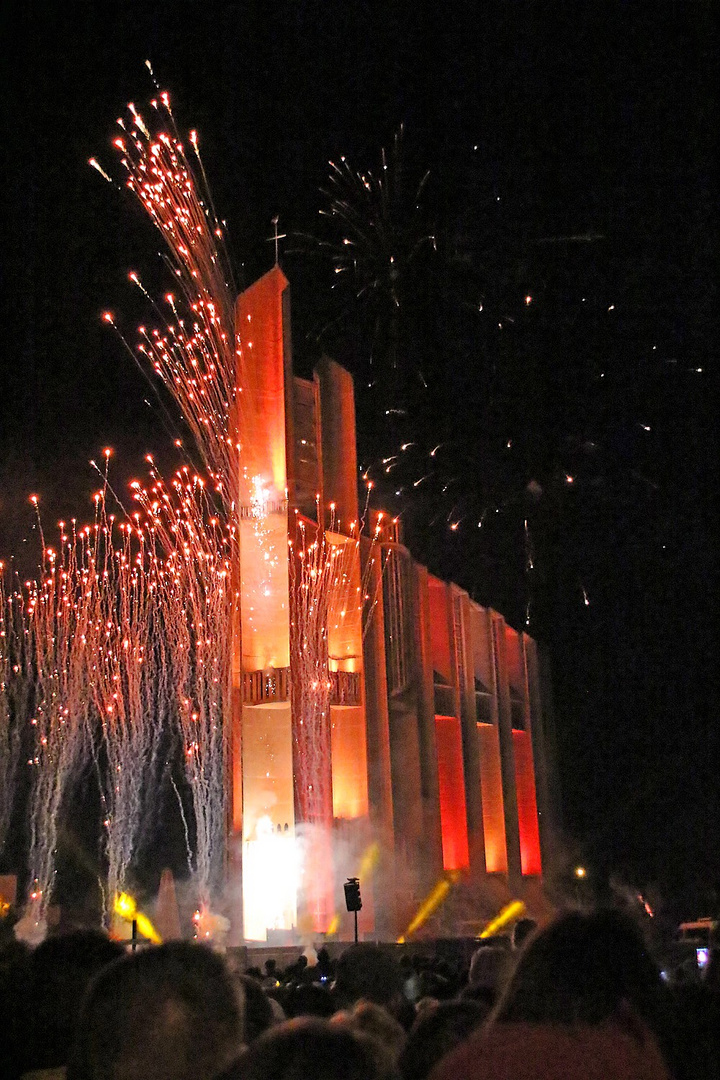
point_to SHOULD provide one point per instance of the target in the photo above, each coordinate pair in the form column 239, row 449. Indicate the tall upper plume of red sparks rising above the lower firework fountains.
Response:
column 195, row 354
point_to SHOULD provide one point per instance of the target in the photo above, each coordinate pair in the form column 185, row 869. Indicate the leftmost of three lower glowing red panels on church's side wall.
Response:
column 454, row 819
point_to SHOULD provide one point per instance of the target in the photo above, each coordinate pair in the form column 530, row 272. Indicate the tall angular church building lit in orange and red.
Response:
column 386, row 726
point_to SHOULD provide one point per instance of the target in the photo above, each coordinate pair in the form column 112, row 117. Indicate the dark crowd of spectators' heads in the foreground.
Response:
column 579, row 998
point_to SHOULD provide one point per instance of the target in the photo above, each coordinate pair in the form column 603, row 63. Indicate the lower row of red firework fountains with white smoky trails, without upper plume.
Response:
column 117, row 643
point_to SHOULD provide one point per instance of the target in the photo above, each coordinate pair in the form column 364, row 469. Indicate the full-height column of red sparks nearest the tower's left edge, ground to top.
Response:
column 196, row 355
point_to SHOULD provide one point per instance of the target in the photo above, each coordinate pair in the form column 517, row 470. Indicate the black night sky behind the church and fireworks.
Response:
column 559, row 153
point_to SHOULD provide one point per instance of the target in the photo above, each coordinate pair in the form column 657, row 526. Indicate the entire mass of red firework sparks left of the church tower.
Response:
column 127, row 632
